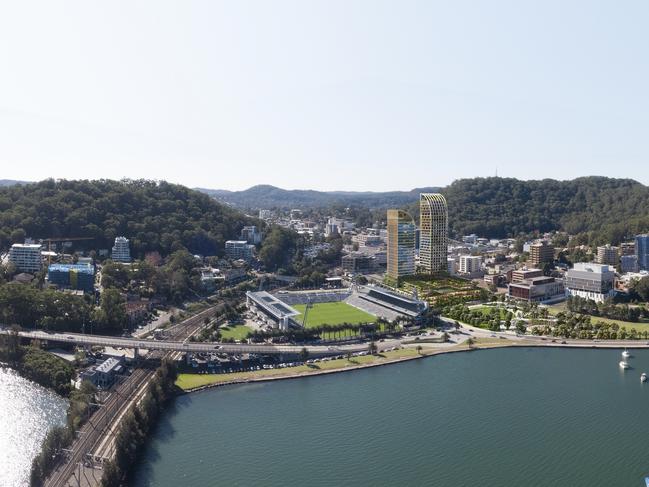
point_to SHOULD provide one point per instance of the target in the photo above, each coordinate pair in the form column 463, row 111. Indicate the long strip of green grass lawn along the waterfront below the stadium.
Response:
column 189, row 381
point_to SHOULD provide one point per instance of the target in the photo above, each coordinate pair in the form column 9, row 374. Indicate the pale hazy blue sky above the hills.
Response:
column 330, row 95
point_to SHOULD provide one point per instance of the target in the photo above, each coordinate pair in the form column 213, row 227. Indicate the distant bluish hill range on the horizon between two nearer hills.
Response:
column 271, row 197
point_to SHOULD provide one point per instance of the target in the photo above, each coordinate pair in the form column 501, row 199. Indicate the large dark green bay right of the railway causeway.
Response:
column 505, row 417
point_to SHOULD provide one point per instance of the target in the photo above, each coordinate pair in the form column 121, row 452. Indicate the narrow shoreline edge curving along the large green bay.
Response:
column 458, row 349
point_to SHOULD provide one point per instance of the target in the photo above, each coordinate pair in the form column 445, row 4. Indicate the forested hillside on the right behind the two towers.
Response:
column 607, row 209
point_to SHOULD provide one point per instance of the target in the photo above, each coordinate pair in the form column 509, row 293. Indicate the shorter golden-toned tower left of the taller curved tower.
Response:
column 401, row 244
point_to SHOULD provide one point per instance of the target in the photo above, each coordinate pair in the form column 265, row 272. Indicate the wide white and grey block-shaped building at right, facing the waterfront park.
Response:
column 590, row 281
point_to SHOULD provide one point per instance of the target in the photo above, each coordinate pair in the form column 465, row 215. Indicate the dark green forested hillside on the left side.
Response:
column 154, row 215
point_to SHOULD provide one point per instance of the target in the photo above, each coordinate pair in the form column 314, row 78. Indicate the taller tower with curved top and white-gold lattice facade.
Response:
column 433, row 240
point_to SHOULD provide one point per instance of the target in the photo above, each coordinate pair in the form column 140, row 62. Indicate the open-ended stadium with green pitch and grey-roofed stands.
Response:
column 360, row 304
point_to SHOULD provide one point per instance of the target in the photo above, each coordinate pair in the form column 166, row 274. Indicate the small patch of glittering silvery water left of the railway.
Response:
column 27, row 411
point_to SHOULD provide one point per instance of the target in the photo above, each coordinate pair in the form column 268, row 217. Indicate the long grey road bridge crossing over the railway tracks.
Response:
column 181, row 346
